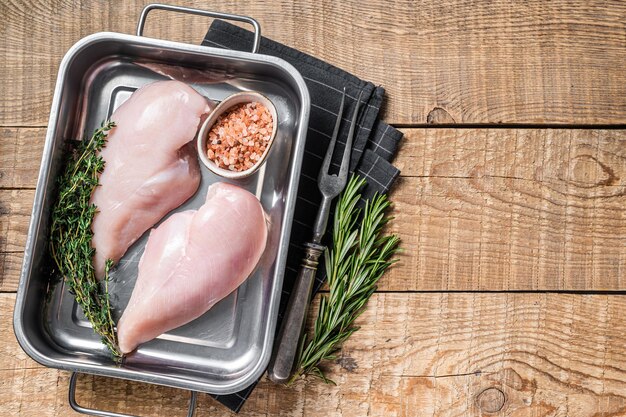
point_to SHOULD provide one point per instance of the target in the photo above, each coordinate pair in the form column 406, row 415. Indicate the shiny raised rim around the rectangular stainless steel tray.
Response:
column 294, row 170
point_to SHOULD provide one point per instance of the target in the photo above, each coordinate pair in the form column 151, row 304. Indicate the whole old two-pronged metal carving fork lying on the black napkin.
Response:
column 286, row 346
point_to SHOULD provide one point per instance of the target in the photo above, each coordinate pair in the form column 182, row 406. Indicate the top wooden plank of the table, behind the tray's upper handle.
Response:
column 444, row 61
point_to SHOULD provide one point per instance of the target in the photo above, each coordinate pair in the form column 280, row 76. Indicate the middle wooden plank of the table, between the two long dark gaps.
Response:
column 477, row 209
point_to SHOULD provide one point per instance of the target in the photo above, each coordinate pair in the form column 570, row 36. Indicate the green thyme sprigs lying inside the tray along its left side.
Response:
column 70, row 236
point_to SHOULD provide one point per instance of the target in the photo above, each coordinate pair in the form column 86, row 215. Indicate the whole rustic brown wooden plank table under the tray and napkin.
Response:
column 511, row 206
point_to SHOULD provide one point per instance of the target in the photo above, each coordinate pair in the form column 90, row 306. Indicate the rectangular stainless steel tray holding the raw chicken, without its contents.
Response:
column 227, row 348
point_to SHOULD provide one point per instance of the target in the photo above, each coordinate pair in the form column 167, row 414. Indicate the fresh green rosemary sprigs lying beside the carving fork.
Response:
column 360, row 255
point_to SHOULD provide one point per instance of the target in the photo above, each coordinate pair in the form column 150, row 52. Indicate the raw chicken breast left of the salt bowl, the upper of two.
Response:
column 150, row 165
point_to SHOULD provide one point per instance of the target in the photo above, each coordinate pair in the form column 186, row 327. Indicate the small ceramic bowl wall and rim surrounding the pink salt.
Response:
column 227, row 104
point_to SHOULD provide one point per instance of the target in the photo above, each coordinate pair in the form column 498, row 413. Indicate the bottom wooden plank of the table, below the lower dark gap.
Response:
column 415, row 354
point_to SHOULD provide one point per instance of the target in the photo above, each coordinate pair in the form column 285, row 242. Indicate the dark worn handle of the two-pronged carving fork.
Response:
column 287, row 344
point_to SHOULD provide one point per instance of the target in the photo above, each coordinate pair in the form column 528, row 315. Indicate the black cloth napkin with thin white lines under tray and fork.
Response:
column 375, row 144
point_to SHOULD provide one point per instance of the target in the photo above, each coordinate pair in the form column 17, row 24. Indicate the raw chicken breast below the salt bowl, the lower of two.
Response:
column 193, row 260
